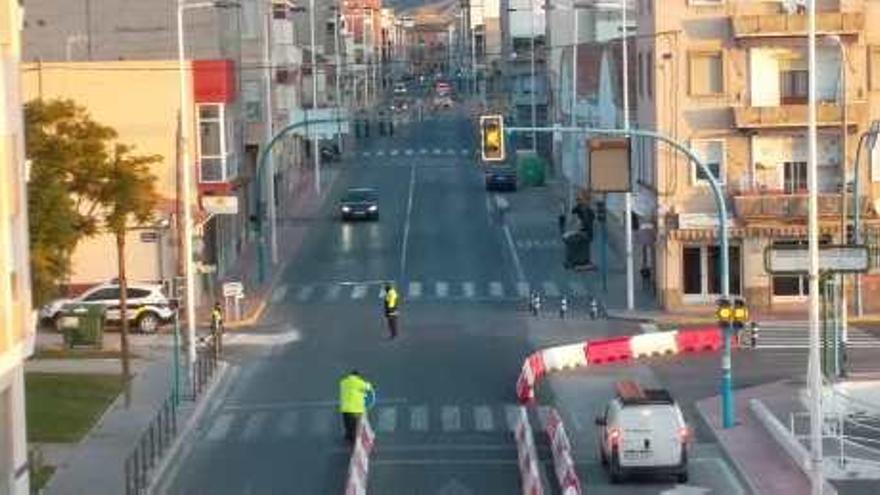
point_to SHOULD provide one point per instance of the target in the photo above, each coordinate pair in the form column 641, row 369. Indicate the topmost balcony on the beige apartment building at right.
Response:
column 782, row 25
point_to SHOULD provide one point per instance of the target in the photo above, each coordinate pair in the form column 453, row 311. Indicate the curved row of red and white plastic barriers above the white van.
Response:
column 608, row 350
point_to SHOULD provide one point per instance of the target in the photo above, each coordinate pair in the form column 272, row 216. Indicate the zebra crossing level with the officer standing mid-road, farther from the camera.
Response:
column 438, row 290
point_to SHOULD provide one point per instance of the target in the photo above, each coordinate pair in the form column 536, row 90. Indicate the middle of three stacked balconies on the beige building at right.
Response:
column 796, row 115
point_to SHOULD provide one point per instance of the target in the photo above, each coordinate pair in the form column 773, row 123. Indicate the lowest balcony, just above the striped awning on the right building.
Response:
column 792, row 207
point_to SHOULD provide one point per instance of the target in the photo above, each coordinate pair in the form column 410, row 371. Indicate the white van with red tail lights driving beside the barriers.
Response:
column 643, row 431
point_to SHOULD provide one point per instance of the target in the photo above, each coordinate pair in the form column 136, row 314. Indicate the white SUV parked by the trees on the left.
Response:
column 147, row 307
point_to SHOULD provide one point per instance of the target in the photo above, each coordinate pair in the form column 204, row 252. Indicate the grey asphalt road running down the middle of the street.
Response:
column 445, row 387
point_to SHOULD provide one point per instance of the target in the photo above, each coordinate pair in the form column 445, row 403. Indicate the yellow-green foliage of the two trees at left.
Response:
column 82, row 182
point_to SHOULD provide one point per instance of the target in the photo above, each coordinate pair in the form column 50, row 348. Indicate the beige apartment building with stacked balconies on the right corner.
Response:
column 729, row 80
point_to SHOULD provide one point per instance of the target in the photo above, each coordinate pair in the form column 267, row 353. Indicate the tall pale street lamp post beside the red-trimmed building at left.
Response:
column 188, row 268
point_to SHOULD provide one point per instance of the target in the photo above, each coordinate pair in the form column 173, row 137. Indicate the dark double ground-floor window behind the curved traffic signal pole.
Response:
column 701, row 271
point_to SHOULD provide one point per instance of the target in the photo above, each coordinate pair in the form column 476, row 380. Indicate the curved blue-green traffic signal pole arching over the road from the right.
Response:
column 726, row 366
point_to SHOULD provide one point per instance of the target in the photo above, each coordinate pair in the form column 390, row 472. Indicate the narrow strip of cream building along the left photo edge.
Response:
column 17, row 319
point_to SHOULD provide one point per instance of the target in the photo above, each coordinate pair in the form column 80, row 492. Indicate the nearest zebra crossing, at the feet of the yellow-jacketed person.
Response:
column 289, row 422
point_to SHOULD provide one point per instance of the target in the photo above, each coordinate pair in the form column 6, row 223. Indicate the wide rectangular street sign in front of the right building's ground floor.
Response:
column 795, row 260
